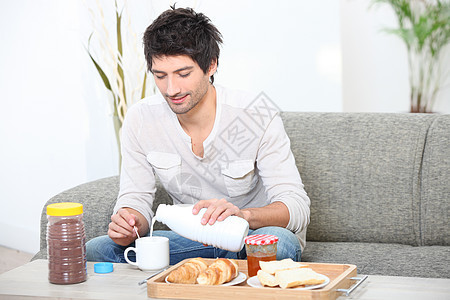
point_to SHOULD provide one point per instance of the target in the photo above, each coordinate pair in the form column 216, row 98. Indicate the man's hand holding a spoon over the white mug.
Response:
column 121, row 228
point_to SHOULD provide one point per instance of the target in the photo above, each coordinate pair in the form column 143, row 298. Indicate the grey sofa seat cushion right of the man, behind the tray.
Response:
column 383, row 259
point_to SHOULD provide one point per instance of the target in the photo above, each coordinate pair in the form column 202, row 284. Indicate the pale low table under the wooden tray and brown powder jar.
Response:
column 31, row 280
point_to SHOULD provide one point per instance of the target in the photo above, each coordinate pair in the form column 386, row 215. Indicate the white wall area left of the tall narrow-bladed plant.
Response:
column 54, row 134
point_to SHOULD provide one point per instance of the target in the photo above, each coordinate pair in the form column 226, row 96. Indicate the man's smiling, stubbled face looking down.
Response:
column 181, row 81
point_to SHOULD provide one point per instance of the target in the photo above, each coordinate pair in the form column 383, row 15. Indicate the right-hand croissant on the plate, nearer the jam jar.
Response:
column 220, row 271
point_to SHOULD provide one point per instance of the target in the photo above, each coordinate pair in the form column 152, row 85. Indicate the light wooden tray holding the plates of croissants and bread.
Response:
column 339, row 279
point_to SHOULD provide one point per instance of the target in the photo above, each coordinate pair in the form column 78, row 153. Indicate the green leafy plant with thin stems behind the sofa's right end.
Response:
column 424, row 27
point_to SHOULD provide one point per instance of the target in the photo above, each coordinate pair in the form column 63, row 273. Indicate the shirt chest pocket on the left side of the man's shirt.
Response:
column 167, row 166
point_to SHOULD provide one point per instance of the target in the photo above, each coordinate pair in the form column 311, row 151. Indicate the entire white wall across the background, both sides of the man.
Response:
column 55, row 128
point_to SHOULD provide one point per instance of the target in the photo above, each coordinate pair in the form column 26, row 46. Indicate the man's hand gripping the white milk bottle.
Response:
column 217, row 210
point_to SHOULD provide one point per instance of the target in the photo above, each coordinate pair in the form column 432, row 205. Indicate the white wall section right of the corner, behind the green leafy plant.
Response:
column 375, row 67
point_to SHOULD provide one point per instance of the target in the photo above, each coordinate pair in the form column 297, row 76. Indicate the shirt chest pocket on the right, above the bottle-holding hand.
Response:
column 239, row 177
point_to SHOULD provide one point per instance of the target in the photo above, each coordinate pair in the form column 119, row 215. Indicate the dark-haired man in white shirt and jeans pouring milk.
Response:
column 207, row 148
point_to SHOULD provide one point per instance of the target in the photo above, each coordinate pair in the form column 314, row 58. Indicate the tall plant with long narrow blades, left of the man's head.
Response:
column 121, row 66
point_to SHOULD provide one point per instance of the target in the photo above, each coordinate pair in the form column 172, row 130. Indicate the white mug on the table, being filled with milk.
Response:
column 152, row 253
